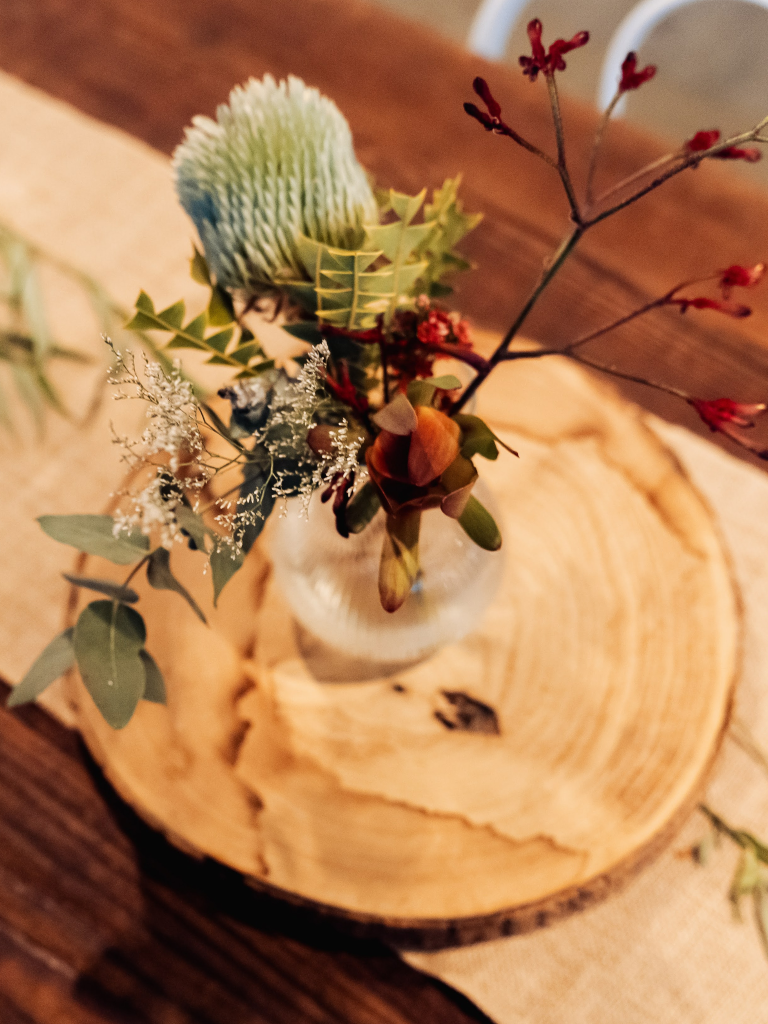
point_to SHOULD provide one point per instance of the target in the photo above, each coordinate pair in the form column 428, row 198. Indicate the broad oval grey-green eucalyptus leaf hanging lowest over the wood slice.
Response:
column 108, row 642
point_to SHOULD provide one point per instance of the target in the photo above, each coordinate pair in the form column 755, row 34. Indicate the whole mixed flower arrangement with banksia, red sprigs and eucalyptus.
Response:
column 291, row 229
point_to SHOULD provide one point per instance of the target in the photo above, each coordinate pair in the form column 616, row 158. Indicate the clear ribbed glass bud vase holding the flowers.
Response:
column 331, row 584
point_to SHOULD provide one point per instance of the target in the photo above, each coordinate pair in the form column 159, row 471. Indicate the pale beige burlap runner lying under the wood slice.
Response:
column 667, row 949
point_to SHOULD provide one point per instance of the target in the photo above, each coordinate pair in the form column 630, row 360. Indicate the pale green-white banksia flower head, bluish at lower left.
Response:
column 276, row 164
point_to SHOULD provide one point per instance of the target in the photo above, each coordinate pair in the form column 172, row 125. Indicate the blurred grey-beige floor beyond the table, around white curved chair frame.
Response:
column 713, row 71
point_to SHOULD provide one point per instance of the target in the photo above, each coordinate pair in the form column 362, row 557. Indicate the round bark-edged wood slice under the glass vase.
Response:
column 608, row 661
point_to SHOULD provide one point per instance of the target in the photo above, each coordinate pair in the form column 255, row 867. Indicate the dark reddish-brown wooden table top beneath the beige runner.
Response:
column 101, row 921
